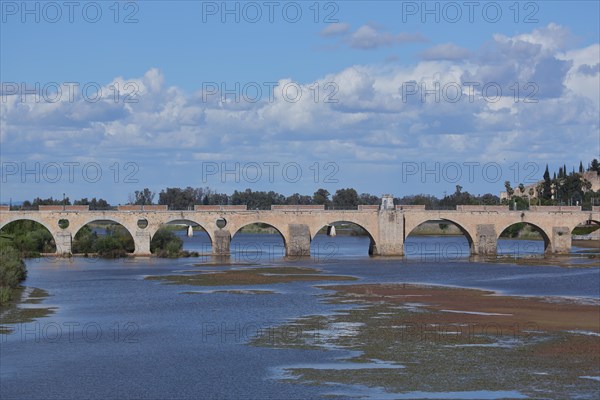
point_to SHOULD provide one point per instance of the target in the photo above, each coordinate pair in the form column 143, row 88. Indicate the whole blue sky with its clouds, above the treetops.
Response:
column 351, row 123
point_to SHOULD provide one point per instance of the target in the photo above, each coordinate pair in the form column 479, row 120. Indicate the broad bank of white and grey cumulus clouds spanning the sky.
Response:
column 427, row 110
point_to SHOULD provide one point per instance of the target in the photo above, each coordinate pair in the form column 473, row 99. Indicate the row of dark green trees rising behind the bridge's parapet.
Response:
column 562, row 188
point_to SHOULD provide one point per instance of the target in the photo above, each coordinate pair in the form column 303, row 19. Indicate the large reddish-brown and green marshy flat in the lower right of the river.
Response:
column 442, row 341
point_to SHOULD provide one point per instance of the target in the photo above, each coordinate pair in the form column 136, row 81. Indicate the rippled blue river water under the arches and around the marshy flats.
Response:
column 116, row 335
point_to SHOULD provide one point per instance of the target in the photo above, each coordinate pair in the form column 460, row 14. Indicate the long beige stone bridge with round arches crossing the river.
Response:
column 387, row 226
